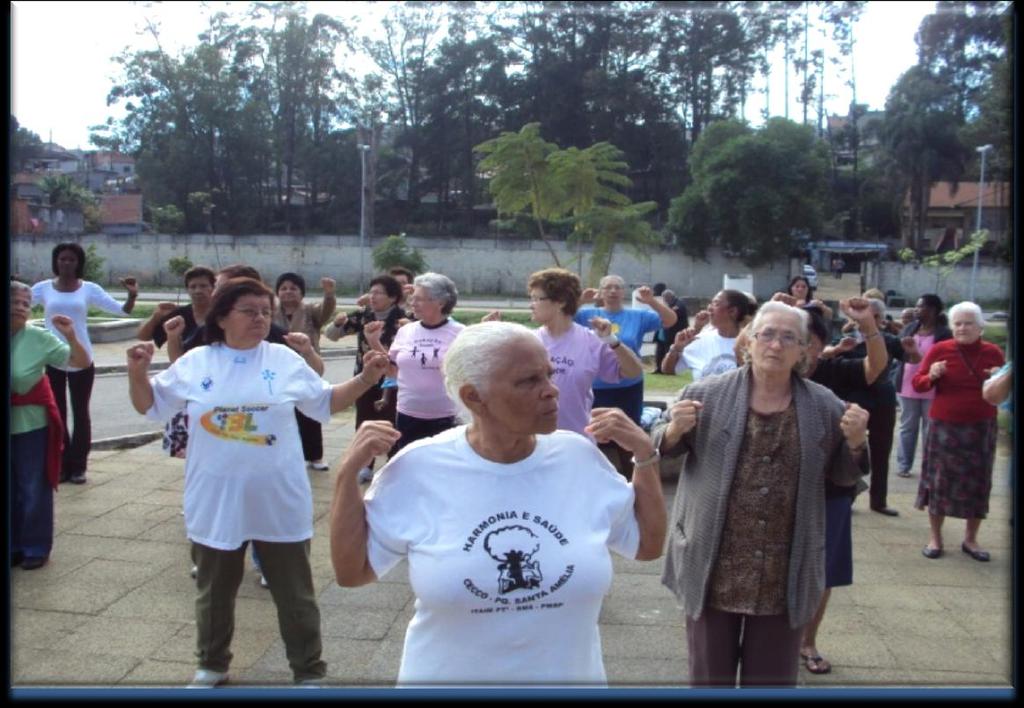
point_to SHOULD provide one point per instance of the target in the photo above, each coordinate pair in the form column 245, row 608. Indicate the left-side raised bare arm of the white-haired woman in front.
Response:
column 349, row 513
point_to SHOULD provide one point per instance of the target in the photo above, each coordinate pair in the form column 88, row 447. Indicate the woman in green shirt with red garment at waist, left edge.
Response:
column 36, row 430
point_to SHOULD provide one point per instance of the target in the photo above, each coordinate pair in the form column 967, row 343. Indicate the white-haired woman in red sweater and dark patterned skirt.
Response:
column 957, row 470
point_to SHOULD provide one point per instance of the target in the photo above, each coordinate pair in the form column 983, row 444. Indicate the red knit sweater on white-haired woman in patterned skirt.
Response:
column 958, row 393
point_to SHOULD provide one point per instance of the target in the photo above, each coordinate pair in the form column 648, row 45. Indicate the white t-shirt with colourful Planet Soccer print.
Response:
column 245, row 475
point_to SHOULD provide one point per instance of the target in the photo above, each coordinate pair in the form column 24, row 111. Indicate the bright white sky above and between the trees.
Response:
column 62, row 69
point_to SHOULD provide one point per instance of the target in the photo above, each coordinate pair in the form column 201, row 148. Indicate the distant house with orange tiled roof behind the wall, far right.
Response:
column 953, row 214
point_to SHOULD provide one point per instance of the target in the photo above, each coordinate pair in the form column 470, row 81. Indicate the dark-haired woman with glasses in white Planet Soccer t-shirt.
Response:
column 245, row 480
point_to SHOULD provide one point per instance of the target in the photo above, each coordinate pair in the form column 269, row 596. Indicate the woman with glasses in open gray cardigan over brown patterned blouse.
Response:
column 746, row 556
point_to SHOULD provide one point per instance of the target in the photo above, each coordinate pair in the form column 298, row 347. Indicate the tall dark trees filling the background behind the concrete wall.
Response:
column 279, row 121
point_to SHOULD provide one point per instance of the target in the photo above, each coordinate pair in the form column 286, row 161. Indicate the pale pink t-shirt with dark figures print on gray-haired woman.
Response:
column 419, row 352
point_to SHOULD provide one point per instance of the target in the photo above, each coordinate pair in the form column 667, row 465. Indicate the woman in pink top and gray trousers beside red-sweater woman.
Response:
column 928, row 328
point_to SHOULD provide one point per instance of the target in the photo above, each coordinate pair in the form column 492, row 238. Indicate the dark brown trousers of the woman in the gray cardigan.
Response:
column 765, row 650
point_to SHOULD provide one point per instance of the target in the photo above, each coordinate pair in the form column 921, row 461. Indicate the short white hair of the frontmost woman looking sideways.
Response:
column 476, row 356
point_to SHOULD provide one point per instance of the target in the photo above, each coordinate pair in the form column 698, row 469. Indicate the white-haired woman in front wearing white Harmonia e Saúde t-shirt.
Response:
column 506, row 524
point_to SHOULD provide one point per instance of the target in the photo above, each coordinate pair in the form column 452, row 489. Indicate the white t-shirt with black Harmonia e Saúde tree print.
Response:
column 509, row 563
